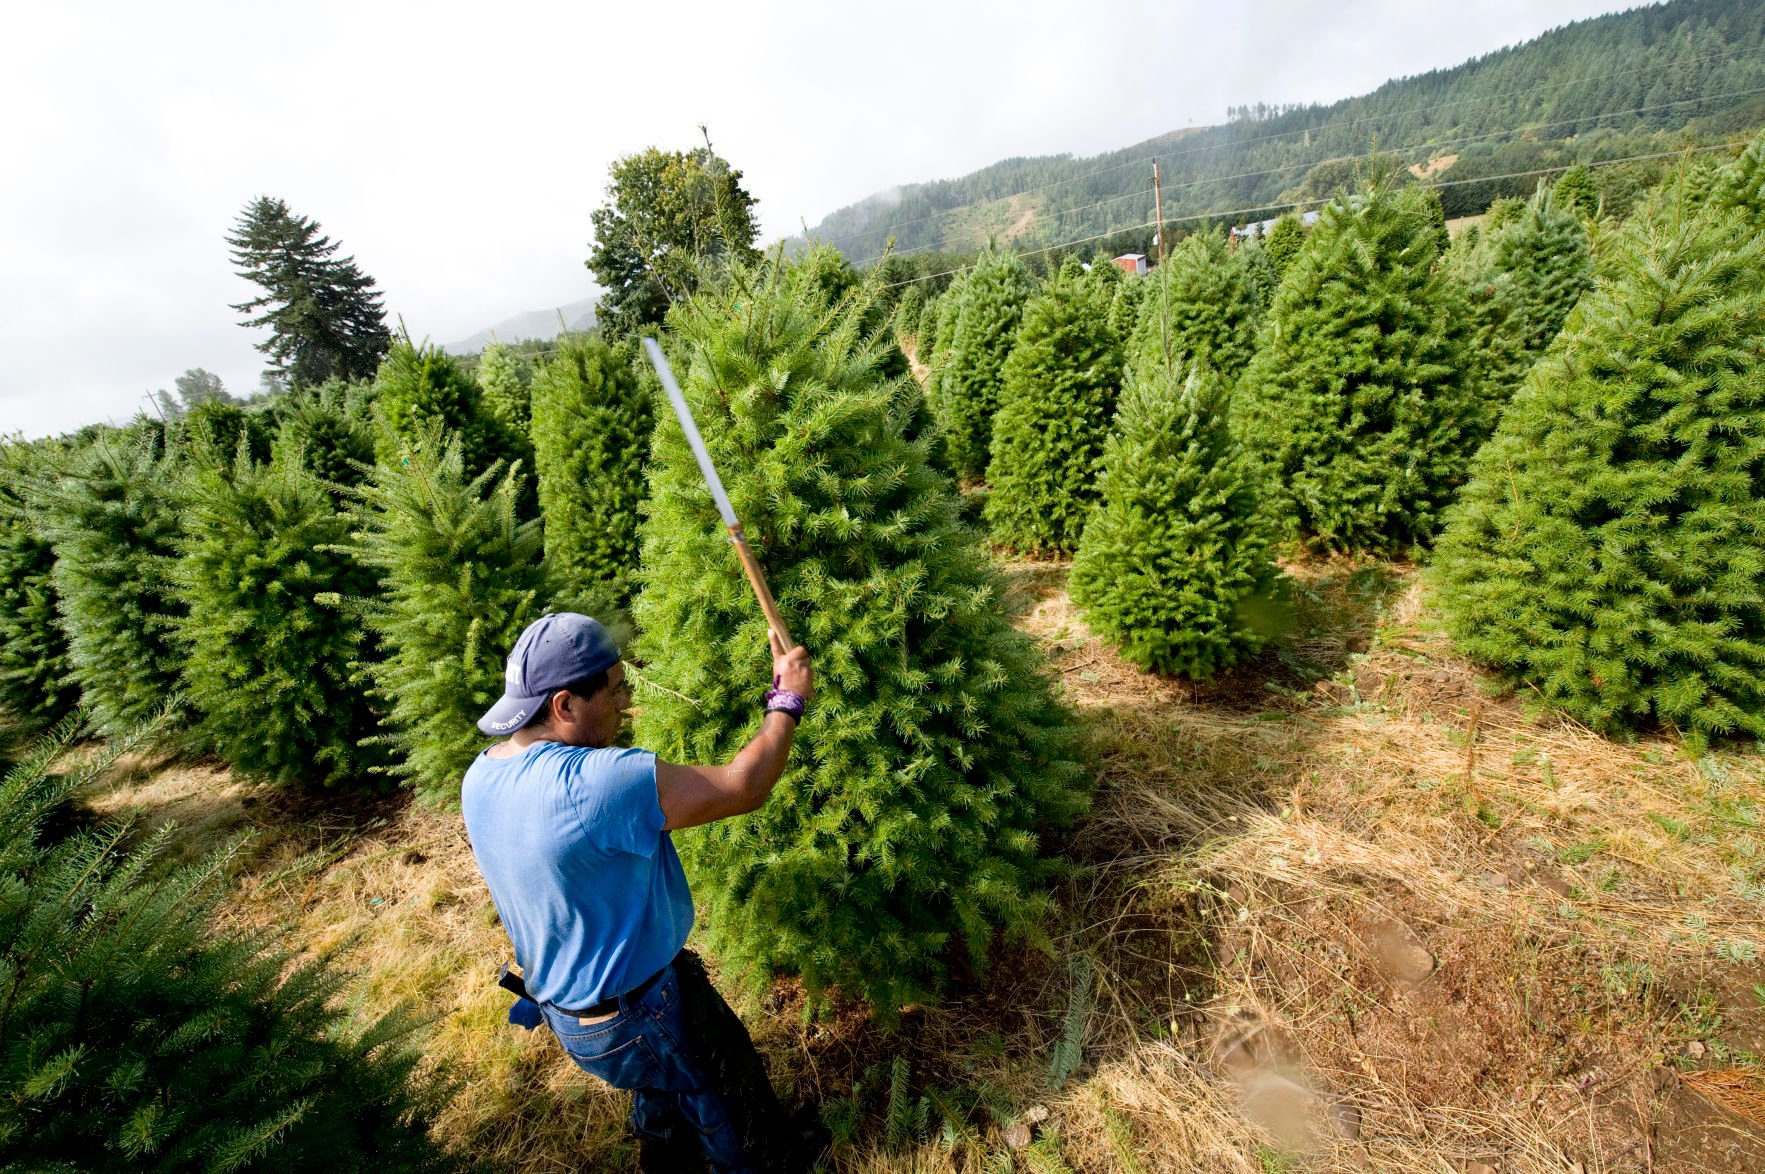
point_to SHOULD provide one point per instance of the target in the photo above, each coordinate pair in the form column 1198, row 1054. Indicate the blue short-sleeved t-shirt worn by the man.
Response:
column 587, row 882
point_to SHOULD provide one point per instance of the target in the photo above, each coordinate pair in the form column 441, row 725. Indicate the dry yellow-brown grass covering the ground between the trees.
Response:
column 1342, row 910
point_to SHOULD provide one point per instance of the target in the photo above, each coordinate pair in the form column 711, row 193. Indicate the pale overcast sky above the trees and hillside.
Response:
column 456, row 151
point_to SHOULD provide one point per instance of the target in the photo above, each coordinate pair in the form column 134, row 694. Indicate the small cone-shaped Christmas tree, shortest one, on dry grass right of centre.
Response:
column 1175, row 568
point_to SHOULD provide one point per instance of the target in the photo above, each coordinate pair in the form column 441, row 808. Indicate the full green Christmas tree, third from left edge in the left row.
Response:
column 271, row 674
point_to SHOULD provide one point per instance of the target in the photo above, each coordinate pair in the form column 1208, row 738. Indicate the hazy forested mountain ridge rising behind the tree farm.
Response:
column 1632, row 84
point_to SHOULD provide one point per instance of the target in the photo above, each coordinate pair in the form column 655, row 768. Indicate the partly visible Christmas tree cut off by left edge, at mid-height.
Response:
column 36, row 674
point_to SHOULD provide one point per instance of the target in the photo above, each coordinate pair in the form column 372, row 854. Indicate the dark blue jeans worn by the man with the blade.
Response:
column 684, row 1085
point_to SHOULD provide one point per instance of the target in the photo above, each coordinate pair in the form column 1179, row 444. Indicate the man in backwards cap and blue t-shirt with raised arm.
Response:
column 573, row 839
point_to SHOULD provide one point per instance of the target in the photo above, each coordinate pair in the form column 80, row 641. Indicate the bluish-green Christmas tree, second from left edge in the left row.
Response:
column 112, row 515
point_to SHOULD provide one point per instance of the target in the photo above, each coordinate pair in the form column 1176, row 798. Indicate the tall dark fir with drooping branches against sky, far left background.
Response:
column 324, row 313
